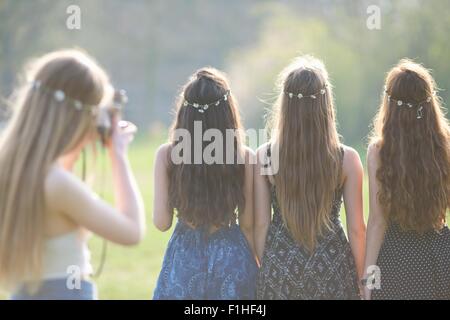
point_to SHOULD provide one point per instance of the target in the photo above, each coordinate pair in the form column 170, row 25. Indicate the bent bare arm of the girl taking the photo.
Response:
column 123, row 224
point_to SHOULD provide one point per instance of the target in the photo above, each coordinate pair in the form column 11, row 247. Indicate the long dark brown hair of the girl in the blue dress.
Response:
column 207, row 195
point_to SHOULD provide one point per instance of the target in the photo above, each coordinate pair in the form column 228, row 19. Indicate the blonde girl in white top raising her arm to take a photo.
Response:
column 45, row 210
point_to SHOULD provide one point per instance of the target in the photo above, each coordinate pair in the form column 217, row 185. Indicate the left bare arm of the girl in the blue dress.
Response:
column 162, row 213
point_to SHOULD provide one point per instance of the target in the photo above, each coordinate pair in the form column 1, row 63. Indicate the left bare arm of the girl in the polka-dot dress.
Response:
column 376, row 226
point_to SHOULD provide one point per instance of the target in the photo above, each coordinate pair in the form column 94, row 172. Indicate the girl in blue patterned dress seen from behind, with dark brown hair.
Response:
column 209, row 255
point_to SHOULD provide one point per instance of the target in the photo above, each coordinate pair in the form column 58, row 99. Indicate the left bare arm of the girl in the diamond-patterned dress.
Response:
column 261, row 203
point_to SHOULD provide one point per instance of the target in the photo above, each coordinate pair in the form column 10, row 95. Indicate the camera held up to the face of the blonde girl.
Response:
column 110, row 113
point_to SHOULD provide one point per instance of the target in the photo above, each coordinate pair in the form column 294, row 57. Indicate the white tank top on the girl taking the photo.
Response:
column 65, row 255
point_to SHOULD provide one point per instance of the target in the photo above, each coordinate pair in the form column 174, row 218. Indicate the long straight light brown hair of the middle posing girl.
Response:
column 308, row 148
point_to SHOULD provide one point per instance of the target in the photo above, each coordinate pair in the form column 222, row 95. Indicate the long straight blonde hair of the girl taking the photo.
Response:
column 40, row 131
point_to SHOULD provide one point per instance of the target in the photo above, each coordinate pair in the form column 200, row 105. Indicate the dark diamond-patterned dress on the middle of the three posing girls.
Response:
column 289, row 272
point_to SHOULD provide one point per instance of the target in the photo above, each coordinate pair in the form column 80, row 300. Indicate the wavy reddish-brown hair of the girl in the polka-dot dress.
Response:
column 414, row 170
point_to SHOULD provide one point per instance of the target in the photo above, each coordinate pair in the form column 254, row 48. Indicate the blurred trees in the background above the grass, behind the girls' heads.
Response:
column 151, row 47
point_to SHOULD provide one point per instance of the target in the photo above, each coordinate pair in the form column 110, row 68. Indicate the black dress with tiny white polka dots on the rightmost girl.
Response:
column 414, row 266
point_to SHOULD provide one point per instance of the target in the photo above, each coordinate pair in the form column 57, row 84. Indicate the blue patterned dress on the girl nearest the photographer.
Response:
column 202, row 266
